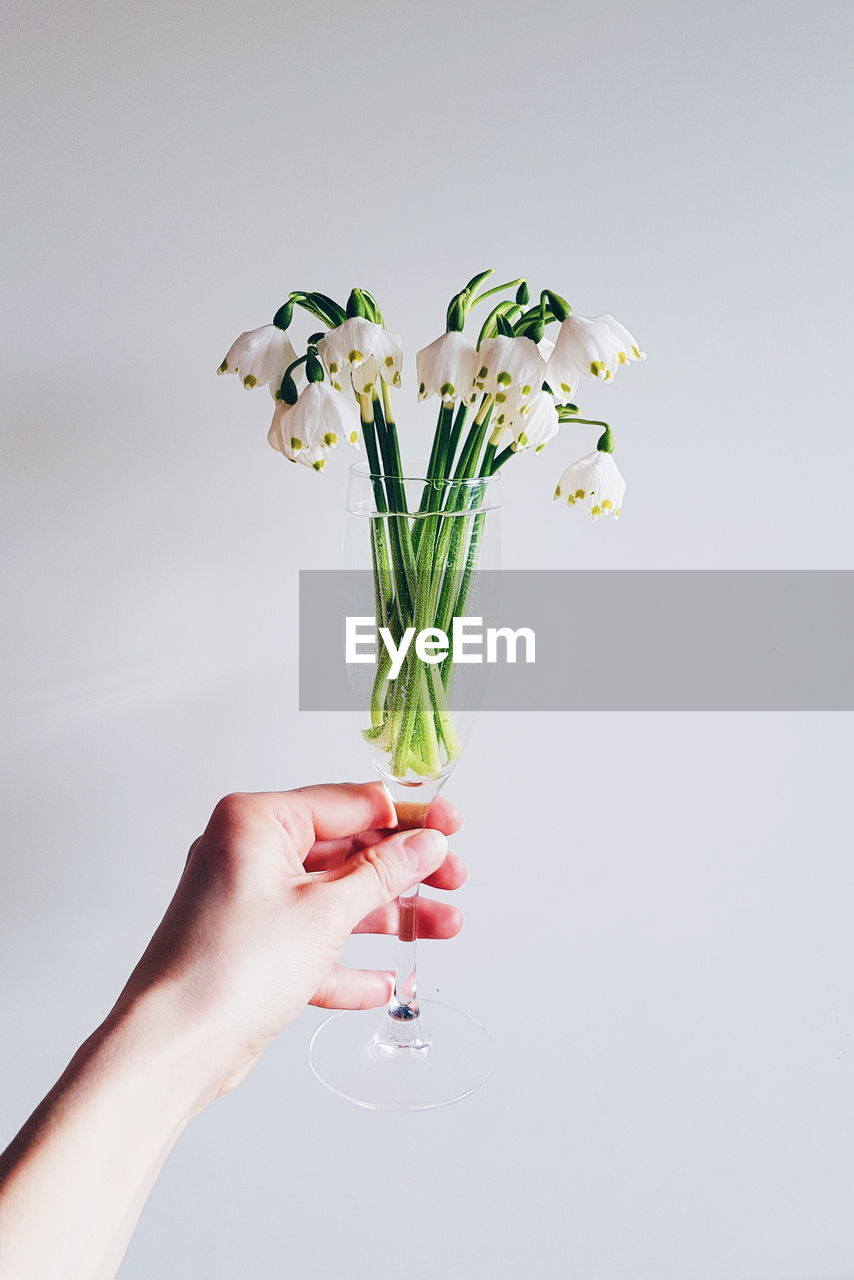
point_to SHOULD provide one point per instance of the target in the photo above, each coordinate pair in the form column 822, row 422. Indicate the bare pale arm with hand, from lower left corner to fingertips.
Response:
column 268, row 897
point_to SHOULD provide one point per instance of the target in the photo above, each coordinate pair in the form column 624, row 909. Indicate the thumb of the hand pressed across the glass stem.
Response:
column 385, row 871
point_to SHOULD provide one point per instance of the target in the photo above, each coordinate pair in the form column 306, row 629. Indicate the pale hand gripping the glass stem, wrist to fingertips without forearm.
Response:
column 268, row 898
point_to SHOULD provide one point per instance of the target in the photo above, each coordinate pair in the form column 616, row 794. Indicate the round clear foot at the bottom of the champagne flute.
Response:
column 447, row 1058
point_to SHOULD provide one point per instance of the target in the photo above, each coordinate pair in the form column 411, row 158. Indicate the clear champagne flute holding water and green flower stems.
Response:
column 428, row 548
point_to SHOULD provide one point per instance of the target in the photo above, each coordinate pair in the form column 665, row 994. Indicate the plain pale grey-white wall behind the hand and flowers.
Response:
column 659, row 916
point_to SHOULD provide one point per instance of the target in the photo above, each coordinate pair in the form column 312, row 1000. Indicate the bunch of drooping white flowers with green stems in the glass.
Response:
column 503, row 394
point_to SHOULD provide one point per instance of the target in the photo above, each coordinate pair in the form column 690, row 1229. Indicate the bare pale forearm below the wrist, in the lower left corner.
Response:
column 75, row 1181
